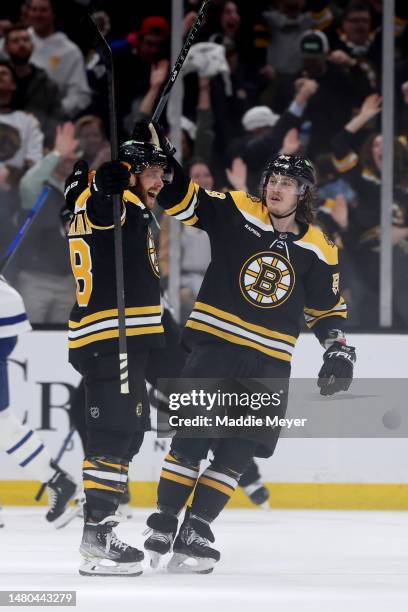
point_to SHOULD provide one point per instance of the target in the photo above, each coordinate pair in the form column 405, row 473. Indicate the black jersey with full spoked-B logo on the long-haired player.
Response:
column 259, row 281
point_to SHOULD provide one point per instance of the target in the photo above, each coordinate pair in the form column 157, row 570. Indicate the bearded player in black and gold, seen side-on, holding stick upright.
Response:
column 115, row 423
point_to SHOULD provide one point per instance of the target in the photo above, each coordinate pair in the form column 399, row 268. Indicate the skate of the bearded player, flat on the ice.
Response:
column 105, row 554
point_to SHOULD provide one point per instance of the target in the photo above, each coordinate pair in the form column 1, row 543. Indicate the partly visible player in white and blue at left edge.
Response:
column 19, row 441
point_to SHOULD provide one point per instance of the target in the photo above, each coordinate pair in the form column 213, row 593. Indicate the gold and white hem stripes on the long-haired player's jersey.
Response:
column 229, row 327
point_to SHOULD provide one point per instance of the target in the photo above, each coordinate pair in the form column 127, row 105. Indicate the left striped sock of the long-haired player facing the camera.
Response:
column 177, row 480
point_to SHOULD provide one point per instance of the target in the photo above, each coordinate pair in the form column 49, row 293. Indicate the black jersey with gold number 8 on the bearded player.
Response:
column 93, row 325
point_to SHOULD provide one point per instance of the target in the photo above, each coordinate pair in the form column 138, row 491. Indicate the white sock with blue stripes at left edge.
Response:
column 24, row 447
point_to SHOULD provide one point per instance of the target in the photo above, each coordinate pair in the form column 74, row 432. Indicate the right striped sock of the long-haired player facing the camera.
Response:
column 213, row 491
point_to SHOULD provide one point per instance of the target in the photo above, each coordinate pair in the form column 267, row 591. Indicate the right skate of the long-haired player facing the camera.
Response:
column 192, row 553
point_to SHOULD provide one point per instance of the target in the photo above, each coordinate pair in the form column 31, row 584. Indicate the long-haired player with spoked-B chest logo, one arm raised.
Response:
column 269, row 265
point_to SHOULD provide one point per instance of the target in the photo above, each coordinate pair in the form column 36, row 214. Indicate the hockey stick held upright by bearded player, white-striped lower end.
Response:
column 105, row 53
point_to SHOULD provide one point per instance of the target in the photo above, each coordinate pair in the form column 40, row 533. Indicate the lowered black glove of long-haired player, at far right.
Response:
column 336, row 372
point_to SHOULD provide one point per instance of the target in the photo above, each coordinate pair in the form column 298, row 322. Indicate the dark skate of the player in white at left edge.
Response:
column 61, row 490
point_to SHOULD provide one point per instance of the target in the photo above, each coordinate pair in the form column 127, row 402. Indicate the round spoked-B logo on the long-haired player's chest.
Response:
column 267, row 279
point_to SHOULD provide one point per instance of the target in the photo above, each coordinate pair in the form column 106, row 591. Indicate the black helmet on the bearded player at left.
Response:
column 141, row 155
